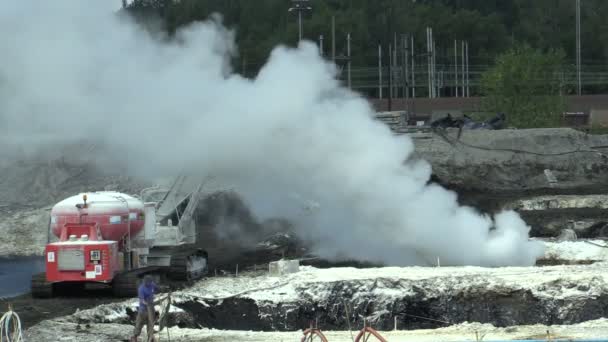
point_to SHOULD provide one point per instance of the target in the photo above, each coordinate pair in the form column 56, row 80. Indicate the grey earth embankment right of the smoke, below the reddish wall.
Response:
column 555, row 178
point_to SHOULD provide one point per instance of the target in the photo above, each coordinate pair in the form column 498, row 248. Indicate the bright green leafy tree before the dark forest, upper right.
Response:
column 526, row 84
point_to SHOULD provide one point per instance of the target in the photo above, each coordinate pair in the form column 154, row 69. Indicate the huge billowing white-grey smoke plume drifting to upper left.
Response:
column 292, row 141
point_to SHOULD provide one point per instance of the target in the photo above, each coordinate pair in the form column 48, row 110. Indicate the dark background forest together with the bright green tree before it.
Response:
column 524, row 44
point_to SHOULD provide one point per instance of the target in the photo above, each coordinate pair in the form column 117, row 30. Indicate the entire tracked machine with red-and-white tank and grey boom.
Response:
column 113, row 238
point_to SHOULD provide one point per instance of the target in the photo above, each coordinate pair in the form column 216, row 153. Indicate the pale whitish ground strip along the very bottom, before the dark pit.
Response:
column 112, row 332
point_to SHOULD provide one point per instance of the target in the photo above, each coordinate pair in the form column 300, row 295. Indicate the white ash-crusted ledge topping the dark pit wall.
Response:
column 315, row 285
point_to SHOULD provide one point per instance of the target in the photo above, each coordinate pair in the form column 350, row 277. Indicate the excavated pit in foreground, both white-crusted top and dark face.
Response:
column 413, row 297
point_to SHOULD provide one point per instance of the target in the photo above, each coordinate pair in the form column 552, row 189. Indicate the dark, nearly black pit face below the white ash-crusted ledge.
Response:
column 501, row 308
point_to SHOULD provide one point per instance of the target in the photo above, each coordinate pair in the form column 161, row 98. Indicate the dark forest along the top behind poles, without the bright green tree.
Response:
column 490, row 26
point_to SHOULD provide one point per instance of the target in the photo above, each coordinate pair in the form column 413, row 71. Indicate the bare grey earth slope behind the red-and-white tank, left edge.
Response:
column 30, row 187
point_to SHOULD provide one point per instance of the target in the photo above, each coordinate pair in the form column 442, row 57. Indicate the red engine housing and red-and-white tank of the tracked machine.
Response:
column 91, row 228
